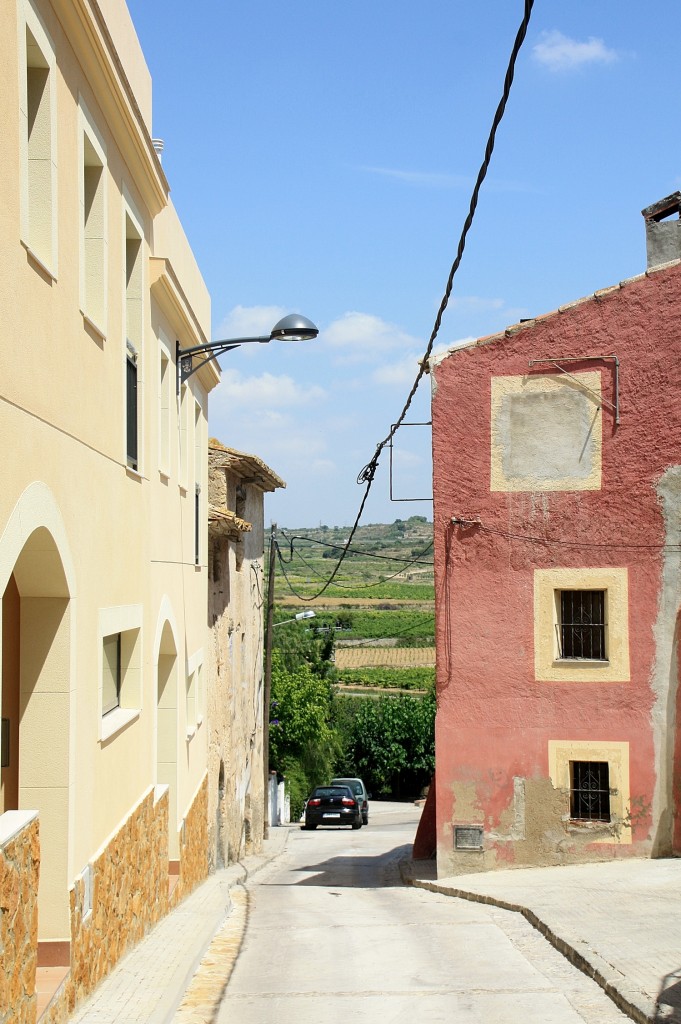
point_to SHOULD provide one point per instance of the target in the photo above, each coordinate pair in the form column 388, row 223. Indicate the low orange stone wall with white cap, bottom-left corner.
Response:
column 20, row 868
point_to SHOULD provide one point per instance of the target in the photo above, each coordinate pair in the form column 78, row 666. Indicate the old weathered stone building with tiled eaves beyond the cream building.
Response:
column 238, row 484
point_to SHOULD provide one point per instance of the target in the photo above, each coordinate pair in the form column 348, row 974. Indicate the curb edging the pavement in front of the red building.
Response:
column 625, row 997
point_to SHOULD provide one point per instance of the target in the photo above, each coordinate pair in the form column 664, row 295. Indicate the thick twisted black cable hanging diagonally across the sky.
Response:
column 369, row 473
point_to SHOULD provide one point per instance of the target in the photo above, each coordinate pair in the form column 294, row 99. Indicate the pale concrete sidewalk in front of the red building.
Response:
column 619, row 922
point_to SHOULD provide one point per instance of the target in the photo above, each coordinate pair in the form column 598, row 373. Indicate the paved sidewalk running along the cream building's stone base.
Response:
column 149, row 986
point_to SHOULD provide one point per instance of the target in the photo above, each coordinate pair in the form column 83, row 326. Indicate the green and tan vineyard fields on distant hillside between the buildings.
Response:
column 379, row 610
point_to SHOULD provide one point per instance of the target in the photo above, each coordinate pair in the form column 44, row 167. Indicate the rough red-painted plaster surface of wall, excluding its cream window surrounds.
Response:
column 495, row 720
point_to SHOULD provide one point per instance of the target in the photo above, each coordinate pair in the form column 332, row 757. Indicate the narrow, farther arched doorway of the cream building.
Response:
column 166, row 717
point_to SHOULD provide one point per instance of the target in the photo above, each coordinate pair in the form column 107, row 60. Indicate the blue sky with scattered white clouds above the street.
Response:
column 322, row 157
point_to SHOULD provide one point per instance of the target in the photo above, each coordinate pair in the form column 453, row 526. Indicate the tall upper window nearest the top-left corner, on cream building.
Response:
column 39, row 144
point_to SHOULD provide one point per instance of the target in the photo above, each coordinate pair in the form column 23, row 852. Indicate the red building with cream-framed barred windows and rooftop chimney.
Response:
column 558, row 516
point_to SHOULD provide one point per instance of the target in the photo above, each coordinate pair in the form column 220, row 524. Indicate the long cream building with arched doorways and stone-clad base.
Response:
column 104, row 539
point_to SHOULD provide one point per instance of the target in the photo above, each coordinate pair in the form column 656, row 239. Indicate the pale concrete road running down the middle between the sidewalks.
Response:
column 333, row 936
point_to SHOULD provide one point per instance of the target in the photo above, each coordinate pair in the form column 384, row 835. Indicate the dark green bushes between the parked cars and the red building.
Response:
column 390, row 743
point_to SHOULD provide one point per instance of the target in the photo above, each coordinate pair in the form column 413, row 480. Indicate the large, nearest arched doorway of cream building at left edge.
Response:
column 37, row 707
